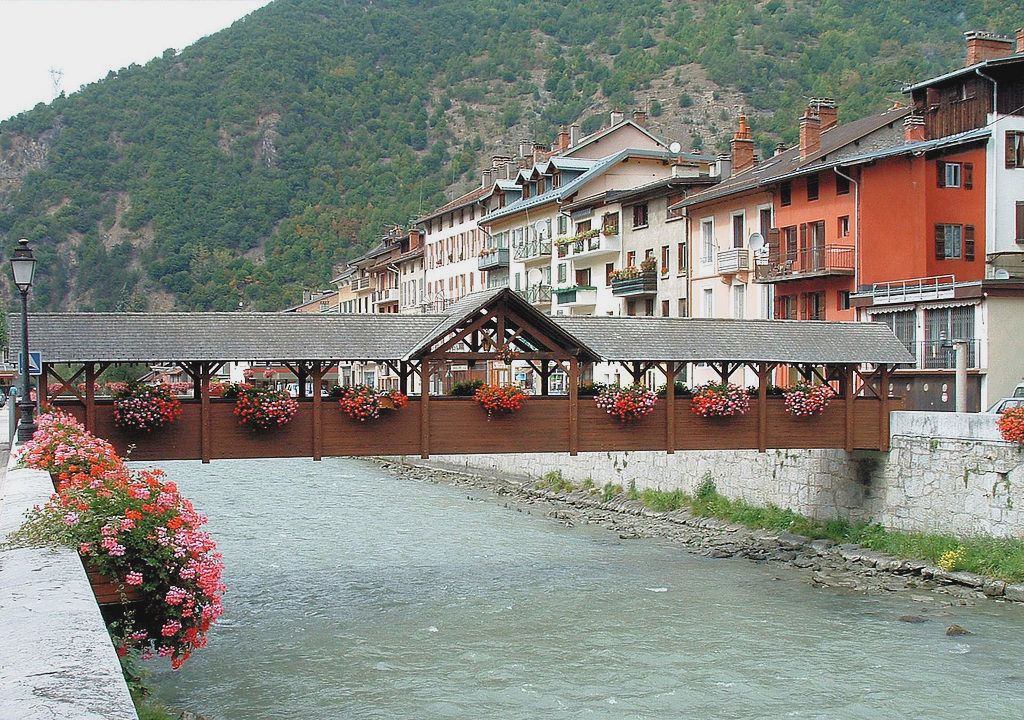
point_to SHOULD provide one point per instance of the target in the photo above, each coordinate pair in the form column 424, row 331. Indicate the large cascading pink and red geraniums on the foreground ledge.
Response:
column 141, row 541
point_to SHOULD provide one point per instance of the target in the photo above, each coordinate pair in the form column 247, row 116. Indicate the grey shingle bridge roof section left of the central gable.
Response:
column 143, row 337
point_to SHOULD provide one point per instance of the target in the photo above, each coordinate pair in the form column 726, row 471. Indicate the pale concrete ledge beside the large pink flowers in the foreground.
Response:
column 57, row 660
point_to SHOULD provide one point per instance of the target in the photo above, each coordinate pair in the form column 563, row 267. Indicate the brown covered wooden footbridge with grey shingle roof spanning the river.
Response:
column 856, row 359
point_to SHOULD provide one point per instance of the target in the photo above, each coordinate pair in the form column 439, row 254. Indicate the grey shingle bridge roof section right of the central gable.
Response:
column 693, row 340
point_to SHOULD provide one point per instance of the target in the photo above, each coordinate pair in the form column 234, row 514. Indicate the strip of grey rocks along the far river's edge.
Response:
column 823, row 563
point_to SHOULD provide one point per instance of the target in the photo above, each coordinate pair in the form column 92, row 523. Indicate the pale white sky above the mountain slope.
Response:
column 89, row 38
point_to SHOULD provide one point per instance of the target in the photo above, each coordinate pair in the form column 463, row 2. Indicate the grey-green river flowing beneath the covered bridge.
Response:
column 357, row 595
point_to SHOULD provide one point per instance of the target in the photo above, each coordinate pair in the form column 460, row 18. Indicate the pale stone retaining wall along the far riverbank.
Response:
column 947, row 475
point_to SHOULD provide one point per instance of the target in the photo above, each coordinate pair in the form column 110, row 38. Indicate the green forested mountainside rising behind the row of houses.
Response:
column 244, row 167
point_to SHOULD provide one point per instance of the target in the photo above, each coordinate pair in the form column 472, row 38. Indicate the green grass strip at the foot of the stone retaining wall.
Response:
column 990, row 557
